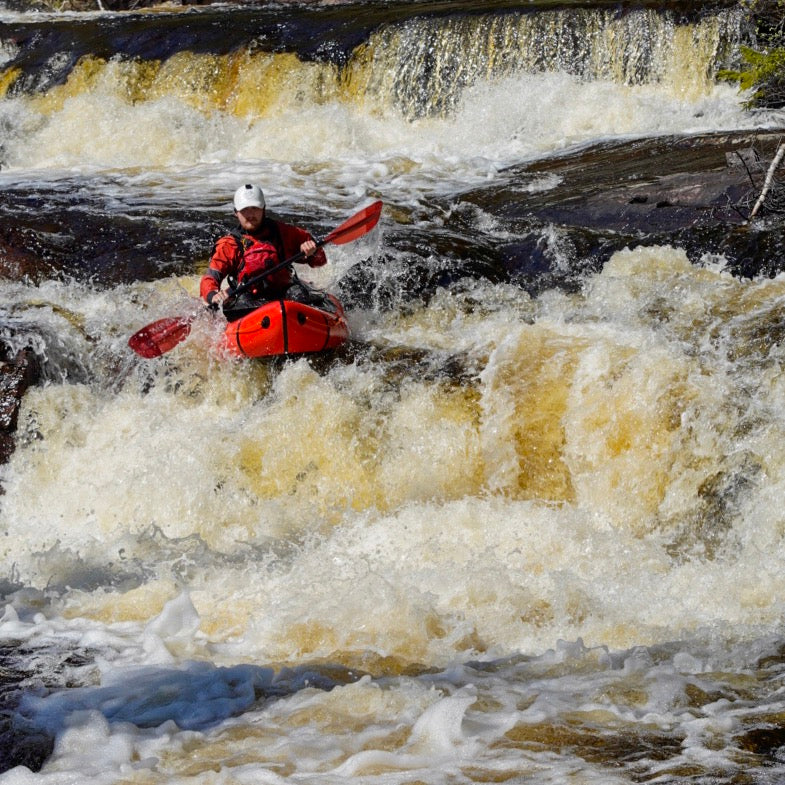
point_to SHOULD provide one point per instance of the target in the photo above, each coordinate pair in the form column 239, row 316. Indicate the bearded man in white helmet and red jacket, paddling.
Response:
column 260, row 244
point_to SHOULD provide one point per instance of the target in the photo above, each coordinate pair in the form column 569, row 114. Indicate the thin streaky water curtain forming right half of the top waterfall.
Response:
column 423, row 66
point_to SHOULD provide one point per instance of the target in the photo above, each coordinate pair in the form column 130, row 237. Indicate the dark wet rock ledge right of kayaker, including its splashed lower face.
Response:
column 549, row 223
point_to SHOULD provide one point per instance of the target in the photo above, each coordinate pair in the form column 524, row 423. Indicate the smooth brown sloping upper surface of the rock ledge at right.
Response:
column 651, row 186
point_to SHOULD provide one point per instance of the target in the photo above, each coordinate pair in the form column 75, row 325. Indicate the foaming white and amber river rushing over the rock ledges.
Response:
column 508, row 533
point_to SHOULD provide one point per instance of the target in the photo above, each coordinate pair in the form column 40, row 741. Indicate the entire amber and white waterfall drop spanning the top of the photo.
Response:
column 416, row 67
